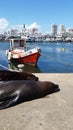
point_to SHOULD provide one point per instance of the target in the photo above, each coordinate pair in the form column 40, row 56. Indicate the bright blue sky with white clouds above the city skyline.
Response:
column 39, row 13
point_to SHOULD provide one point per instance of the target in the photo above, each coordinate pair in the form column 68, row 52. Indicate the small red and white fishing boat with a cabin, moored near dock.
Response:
column 18, row 52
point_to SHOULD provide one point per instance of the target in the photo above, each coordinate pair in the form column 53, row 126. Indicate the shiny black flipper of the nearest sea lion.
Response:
column 8, row 103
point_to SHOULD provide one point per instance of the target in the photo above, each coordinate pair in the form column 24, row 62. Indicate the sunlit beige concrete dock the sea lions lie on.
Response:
column 53, row 112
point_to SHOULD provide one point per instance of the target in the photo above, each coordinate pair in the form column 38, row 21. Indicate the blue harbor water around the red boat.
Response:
column 55, row 58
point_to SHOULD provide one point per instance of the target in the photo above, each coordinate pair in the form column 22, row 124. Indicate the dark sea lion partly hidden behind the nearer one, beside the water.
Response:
column 6, row 75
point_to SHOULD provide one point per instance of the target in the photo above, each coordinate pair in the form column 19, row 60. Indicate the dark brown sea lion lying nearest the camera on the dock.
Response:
column 18, row 91
